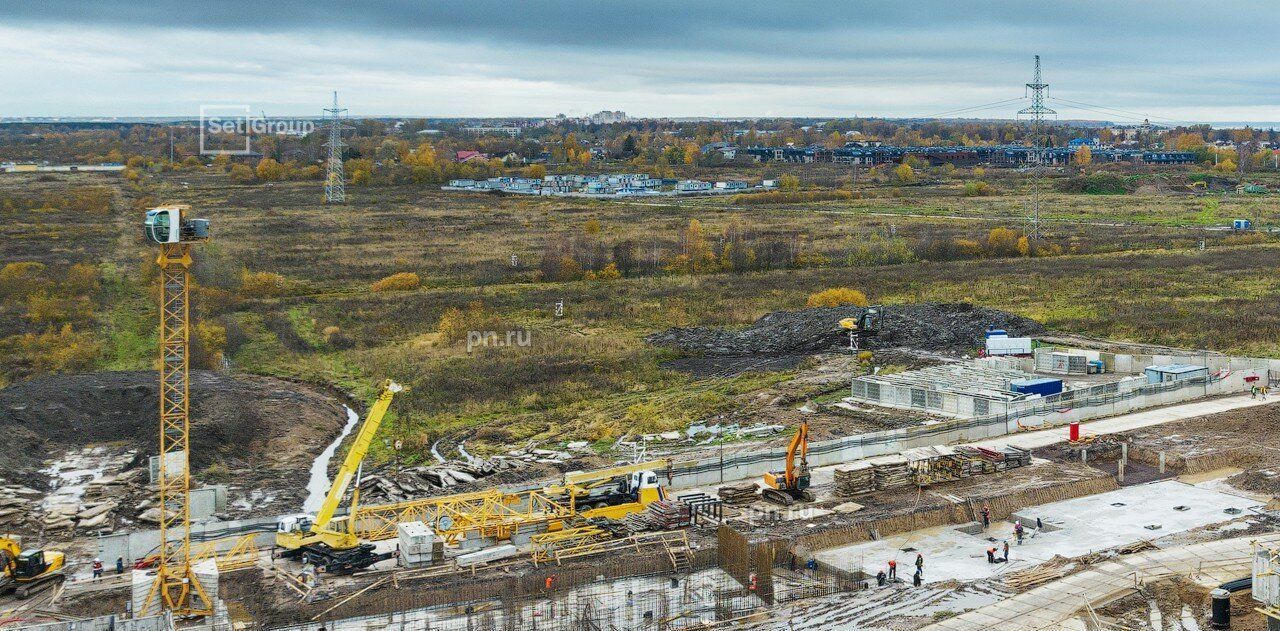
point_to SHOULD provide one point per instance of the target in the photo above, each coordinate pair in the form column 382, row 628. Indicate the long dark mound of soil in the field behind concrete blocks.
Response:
column 945, row 328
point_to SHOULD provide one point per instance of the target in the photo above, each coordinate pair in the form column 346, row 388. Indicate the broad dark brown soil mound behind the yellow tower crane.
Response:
column 240, row 422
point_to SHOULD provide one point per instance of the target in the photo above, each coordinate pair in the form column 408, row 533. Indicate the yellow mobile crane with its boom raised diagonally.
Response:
column 314, row 538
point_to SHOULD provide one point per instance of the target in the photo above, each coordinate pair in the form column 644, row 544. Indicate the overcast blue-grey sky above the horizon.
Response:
column 1172, row 61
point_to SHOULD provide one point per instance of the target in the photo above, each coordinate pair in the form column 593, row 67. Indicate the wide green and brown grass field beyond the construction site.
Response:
column 1131, row 269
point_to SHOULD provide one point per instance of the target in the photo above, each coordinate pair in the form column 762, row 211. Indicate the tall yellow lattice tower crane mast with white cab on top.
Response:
column 176, row 584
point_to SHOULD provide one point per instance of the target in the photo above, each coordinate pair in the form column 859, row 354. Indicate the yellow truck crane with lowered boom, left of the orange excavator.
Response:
column 614, row 492
